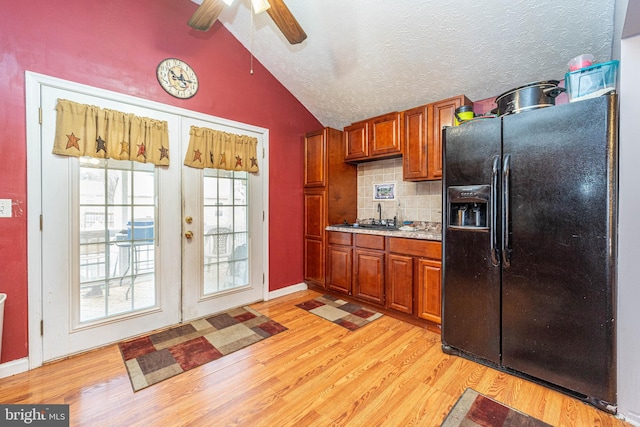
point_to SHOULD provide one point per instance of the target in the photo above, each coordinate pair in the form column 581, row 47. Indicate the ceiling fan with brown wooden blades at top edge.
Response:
column 209, row 10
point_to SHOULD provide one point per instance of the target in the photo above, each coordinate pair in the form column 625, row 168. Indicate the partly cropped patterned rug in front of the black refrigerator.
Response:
column 473, row 409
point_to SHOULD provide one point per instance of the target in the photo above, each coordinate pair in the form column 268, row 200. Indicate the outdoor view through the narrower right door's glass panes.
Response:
column 226, row 223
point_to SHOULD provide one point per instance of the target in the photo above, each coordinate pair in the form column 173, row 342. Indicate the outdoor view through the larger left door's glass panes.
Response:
column 117, row 238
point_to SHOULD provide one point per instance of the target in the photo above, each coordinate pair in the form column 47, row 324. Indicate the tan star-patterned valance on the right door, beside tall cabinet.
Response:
column 210, row 148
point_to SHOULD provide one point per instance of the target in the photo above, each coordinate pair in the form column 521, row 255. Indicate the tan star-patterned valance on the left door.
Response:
column 87, row 130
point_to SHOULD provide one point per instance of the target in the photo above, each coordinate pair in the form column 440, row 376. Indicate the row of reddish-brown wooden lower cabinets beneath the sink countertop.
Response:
column 403, row 275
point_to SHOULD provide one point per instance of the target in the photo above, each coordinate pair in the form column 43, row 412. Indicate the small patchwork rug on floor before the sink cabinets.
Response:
column 346, row 314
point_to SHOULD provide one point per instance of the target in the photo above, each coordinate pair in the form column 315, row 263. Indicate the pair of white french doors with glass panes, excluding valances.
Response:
column 114, row 259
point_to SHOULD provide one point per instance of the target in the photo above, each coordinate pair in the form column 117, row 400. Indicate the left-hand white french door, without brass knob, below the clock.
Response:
column 110, row 242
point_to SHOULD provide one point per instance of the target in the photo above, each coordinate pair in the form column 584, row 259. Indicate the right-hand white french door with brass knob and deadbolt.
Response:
column 223, row 264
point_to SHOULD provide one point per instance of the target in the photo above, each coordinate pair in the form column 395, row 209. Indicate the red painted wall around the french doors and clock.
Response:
column 116, row 45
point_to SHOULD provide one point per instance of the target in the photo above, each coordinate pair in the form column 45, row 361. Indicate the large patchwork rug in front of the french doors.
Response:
column 156, row 357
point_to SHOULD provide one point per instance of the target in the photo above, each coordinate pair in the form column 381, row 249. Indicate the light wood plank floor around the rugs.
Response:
column 315, row 374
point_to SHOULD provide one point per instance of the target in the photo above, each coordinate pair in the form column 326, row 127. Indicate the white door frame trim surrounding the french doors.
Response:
column 33, row 85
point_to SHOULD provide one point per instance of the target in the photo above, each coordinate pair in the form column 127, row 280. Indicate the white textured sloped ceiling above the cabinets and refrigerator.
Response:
column 363, row 58
